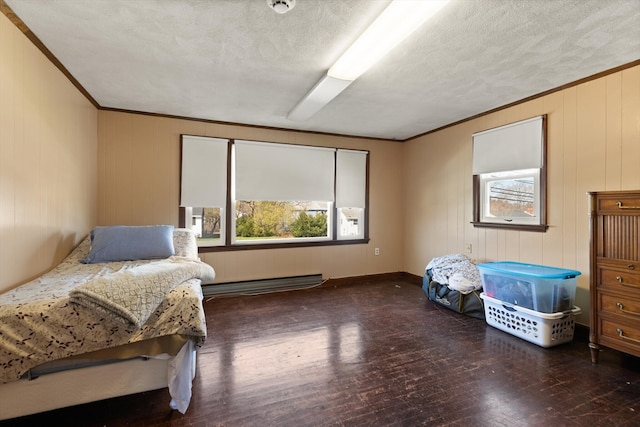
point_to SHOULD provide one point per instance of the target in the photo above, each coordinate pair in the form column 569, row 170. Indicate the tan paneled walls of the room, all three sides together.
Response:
column 420, row 190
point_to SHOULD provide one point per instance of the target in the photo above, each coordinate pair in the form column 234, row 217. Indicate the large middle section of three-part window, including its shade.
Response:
column 281, row 192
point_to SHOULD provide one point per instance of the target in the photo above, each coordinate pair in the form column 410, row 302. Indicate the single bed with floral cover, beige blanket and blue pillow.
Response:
column 121, row 314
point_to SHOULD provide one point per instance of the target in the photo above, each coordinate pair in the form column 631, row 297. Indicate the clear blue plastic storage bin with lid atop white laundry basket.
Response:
column 535, row 287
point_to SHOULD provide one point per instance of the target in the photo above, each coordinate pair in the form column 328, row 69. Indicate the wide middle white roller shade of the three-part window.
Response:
column 281, row 172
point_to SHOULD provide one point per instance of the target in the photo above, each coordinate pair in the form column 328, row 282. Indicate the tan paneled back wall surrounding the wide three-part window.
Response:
column 138, row 176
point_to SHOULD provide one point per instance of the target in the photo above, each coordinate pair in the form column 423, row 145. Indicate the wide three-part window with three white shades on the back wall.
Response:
column 270, row 193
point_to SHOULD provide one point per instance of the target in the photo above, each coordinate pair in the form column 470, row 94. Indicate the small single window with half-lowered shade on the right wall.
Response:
column 509, row 176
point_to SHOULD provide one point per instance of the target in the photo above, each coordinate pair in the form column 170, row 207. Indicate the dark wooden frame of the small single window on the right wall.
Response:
column 479, row 202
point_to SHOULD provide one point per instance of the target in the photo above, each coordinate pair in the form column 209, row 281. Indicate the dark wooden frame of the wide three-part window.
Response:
column 228, row 241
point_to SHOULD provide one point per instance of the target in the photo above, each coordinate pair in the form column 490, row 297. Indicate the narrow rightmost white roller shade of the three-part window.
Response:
column 351, row 178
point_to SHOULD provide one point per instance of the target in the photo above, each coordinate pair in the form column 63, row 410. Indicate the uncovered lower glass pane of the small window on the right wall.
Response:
column 511, row 197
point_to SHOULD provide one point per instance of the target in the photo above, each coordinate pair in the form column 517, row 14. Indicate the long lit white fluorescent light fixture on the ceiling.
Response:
column 396, row 23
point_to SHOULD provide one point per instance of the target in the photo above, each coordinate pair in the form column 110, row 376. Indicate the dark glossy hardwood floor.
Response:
column 374, row 354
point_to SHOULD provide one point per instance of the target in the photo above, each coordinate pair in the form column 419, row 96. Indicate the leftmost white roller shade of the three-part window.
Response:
column 204, row 172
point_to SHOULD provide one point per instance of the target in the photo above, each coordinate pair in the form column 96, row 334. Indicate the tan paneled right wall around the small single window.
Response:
column 593, row 144
